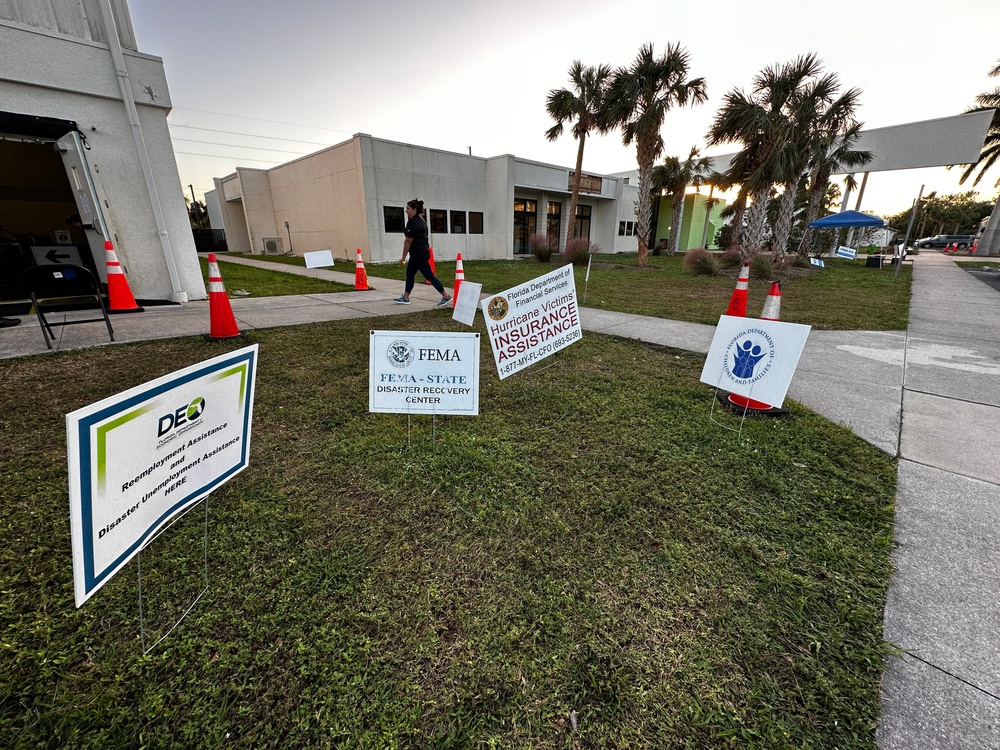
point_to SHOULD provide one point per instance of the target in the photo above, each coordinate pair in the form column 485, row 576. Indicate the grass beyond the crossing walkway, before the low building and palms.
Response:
column 843, row 296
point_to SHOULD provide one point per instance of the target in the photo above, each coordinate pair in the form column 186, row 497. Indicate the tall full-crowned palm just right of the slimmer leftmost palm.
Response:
column 638, row 100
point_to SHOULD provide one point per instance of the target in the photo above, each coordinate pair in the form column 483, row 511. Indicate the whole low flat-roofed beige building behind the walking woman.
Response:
column 352, row 195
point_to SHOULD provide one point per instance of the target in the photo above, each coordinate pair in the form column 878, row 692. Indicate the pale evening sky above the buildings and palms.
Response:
column 255, row 83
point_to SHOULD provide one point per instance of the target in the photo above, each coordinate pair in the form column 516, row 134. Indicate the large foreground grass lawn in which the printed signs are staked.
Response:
column 590, row 563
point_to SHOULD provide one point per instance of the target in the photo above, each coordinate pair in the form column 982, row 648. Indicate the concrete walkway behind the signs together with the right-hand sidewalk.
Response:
column 930, row 396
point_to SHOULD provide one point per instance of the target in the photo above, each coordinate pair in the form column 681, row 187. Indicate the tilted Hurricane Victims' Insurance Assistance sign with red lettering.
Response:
column 527, row 323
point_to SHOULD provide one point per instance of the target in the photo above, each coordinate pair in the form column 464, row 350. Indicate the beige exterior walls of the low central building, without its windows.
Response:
column 335, row 200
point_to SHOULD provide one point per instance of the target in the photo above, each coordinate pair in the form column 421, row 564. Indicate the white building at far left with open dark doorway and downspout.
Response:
column 83, row 132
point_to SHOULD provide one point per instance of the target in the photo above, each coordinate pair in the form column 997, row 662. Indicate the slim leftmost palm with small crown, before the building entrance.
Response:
column 582, row 105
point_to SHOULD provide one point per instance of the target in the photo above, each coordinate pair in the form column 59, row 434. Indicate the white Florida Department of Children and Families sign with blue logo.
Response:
column 754, row 358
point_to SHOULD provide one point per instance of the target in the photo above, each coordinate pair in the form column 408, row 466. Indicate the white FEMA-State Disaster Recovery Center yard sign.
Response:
column 423, row 372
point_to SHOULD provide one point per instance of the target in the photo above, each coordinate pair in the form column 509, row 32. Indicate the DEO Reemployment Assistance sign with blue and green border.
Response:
column 139, row 458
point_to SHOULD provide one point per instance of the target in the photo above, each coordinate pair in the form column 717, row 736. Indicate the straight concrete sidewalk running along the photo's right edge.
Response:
column 942, row 611
